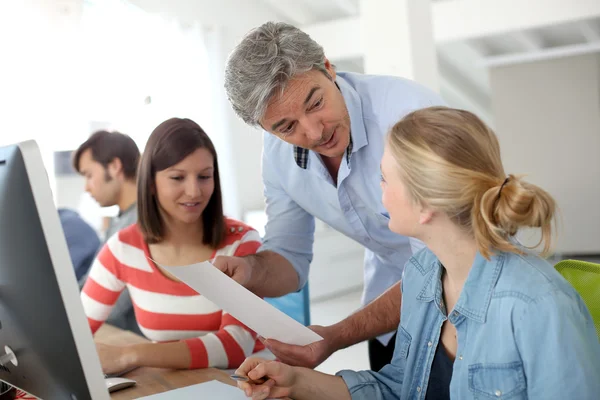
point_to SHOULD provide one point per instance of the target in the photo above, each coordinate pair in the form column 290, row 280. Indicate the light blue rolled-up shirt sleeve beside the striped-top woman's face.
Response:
column 290, row 229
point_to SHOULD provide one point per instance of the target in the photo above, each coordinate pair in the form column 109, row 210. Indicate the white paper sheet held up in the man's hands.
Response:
column 244, row 305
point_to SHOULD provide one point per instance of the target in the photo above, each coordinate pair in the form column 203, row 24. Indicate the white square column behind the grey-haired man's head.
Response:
column 398, row 40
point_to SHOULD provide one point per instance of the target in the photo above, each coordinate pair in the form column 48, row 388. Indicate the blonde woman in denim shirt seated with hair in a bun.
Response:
column 482, row 317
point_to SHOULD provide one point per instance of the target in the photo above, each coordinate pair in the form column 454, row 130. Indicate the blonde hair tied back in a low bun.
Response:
column 451, row 161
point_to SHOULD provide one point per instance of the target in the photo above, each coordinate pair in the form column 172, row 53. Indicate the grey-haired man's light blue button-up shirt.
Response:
column 352, row 206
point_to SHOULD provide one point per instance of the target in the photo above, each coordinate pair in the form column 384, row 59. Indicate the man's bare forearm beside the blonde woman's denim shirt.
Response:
column 380, row 316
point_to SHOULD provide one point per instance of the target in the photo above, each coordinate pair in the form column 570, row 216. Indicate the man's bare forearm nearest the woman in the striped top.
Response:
column 272, row 275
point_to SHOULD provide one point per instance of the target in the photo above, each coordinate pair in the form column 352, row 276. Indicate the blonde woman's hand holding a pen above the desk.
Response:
column 278, row 379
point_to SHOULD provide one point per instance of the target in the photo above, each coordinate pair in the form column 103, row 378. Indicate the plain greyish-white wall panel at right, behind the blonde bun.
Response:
column 547, row 117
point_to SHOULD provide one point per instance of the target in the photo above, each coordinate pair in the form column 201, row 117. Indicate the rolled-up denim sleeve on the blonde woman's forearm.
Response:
column 369, row 385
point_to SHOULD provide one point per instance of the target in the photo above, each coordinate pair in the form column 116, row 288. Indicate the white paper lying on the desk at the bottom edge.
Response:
column 209, row 390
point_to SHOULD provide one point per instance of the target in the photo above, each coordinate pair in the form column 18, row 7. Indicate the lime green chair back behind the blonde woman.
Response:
column 585, row 278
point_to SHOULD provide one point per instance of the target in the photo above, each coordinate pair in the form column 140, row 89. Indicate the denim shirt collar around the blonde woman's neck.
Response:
column 476, row 294
